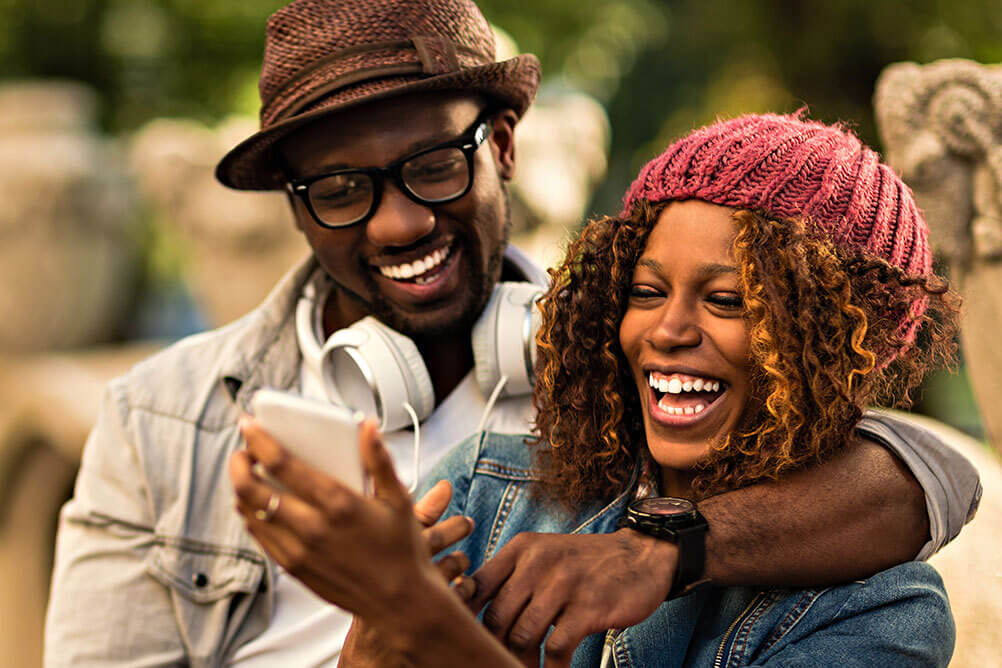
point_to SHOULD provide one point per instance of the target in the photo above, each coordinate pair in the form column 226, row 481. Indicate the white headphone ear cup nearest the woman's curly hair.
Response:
column 505, row 339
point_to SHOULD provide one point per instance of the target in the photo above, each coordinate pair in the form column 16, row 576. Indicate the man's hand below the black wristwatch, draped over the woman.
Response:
column 581, row 584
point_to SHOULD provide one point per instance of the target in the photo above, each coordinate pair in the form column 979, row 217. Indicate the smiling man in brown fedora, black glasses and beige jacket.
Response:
column 154, row 566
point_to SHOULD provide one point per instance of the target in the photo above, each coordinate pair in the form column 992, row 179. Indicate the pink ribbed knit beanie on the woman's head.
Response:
column 788, row 168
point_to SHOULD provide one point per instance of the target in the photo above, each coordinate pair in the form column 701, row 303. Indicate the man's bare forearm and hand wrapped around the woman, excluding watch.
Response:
column 857, row 514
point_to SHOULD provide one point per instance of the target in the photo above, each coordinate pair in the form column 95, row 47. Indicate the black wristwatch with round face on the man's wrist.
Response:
column 677, row 520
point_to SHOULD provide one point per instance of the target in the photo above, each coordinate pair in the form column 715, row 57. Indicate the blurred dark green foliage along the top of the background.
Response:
column 660, row 68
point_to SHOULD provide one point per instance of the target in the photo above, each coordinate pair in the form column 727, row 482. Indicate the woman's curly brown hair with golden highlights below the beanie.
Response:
column 826, row 341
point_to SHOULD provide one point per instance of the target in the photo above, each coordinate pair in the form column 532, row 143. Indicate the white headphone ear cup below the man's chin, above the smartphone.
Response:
column 376, row 370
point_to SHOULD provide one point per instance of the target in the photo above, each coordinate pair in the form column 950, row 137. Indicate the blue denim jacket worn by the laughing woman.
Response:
column 900, row 617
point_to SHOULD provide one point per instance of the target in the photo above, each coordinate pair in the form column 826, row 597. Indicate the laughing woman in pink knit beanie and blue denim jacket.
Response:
column 766, row 282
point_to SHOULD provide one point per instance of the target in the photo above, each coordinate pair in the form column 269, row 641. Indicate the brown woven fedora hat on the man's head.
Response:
column 322, row 57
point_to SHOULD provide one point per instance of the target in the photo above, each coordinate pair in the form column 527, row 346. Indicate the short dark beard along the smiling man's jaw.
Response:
column 420, row 326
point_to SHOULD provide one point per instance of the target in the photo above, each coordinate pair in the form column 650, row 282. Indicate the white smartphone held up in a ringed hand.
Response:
column 325, row 436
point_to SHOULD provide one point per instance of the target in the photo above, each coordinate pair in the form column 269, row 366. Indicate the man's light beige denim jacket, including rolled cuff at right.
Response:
column 154, row 565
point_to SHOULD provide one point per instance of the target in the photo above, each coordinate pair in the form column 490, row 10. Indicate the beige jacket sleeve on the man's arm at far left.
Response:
column 105, row 608
